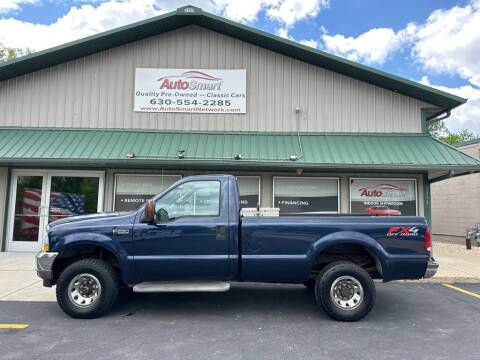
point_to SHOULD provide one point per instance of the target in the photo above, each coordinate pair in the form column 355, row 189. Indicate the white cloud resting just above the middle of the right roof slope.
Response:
column 372, row 47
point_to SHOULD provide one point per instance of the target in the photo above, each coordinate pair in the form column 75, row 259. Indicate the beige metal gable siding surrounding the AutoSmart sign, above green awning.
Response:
column 97, row 91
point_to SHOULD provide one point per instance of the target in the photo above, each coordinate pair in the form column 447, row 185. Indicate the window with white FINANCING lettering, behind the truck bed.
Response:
column 306, row 195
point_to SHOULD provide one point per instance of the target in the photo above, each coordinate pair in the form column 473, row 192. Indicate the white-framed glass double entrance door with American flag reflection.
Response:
column 40, row 197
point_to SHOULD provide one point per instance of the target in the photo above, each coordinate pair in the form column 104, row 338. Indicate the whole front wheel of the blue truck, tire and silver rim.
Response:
column 87, row 288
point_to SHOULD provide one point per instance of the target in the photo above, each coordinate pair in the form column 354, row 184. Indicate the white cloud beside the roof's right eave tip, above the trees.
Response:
column 466, row 116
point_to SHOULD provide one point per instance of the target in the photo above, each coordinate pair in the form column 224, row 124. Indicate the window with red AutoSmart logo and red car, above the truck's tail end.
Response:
column 383, row 196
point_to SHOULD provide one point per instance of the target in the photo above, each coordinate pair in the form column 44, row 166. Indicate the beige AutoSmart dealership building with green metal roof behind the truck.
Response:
column 106, row 122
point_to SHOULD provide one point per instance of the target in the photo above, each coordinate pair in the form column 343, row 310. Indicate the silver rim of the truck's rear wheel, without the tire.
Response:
column 346, row 293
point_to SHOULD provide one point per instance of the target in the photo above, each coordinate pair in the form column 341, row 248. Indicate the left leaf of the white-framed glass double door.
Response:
column 27, row 210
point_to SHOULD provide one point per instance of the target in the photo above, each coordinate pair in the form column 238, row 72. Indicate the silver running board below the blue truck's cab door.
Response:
column 181, row 286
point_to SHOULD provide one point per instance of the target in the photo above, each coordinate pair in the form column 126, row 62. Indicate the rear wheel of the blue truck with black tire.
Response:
column 349, row 271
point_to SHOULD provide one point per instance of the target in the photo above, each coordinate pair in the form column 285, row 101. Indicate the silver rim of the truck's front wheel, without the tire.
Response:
column 84, row 290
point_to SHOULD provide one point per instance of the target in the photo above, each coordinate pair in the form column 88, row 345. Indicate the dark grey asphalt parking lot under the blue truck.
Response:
column 252, row 321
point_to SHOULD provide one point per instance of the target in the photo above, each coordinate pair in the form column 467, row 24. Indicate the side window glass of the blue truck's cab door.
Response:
column 194, row 198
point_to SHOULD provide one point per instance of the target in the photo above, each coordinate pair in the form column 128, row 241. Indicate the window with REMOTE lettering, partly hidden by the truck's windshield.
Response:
column 131, row 191
